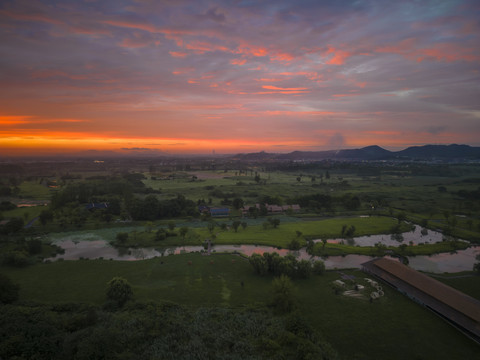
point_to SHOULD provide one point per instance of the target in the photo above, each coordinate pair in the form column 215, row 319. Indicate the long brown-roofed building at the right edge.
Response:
column 459, row 309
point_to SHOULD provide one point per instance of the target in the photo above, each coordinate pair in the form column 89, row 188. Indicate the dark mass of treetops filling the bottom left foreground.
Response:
column 155, row 331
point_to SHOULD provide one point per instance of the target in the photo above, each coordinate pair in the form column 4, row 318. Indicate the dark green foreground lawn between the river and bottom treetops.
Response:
column 393, row 327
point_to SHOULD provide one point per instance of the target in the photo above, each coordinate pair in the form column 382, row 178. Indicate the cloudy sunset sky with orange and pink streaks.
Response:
column 181, row 77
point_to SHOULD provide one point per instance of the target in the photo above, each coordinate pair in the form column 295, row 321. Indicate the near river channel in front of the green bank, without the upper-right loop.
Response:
column 96, row 247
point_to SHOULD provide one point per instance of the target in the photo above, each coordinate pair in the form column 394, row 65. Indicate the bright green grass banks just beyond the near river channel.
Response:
column 282, row 236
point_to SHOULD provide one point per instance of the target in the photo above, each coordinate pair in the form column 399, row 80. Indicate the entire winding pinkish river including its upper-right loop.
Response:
column 92, row 246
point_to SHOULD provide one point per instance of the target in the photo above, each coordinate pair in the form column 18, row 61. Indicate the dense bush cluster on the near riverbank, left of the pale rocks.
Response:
column 274, row 264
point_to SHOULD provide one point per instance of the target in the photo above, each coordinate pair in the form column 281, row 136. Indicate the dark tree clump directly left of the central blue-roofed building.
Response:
column 151, row 208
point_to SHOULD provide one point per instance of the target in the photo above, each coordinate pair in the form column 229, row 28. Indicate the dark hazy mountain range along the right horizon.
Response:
column 374, row 152
